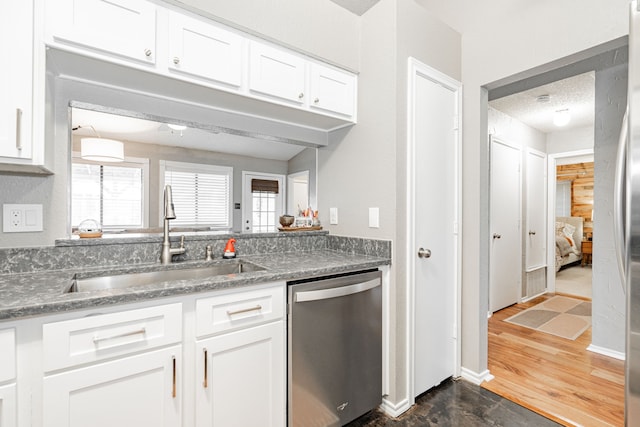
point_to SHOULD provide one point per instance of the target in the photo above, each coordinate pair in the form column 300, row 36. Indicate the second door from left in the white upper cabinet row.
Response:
column 203, row 50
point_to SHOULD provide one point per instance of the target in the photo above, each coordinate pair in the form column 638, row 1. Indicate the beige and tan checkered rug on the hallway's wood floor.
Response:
column 560, row 316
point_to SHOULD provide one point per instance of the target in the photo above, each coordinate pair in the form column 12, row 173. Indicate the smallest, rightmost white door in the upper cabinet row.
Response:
column 332, row 90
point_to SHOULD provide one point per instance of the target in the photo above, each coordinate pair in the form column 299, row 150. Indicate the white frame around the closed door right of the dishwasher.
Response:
column 417, row 69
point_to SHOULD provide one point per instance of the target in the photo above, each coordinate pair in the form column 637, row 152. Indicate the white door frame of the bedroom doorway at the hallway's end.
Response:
column 552, row 160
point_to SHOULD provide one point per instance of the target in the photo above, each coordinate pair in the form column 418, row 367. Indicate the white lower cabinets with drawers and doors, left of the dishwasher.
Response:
column 134, row 366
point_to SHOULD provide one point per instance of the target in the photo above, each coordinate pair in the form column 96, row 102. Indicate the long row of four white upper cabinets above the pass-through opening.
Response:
column 260, row 76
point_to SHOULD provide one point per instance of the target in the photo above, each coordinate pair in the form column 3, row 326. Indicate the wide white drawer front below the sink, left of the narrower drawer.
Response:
column 94, row 338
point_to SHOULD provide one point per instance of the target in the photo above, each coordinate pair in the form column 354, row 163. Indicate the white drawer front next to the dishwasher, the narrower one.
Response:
column 239, row 310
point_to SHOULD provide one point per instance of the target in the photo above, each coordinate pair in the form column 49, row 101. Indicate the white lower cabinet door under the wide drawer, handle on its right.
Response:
column 142, row 390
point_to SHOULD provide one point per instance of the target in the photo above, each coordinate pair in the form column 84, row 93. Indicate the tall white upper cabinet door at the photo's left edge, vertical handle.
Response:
column 16, row 36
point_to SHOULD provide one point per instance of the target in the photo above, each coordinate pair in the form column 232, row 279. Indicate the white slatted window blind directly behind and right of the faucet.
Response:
column 201, row 194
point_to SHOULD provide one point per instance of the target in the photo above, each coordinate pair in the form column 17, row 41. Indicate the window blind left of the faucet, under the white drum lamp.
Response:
column 112, row 195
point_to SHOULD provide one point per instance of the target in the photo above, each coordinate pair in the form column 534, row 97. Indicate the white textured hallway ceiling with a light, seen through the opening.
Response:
column 577, row 94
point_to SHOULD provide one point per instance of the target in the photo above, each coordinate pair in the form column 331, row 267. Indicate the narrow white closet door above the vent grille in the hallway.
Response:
column 536, row 224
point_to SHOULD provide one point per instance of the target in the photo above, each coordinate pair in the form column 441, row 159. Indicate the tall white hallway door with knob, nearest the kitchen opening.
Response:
column 505, row 271
